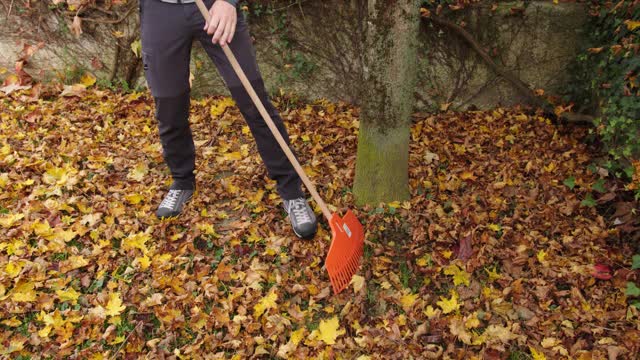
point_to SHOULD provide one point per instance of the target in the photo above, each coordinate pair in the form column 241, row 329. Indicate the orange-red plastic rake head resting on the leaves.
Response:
column 345, row 253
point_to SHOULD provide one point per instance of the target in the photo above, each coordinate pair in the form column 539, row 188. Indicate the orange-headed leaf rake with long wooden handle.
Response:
column 347, row 243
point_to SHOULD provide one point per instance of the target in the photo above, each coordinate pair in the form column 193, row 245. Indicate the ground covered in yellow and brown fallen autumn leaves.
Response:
column 493, row 256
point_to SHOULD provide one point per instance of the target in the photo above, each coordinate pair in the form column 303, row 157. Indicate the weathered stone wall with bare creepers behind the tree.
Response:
column 321, row 58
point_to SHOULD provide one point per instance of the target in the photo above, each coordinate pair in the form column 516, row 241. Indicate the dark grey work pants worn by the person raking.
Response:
column 168, row 31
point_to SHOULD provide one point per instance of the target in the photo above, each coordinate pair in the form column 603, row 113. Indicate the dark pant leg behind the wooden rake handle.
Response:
column 278, row 166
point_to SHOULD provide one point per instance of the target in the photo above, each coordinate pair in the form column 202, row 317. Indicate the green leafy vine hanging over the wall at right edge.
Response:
column 607, row 83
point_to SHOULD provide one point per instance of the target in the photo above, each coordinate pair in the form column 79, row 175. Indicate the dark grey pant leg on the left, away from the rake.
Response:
column 166, row 48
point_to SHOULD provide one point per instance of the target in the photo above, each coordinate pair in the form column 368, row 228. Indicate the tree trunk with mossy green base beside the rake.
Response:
column 390, row 72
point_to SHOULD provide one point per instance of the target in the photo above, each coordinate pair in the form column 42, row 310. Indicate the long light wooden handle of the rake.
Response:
column 267, row 118
